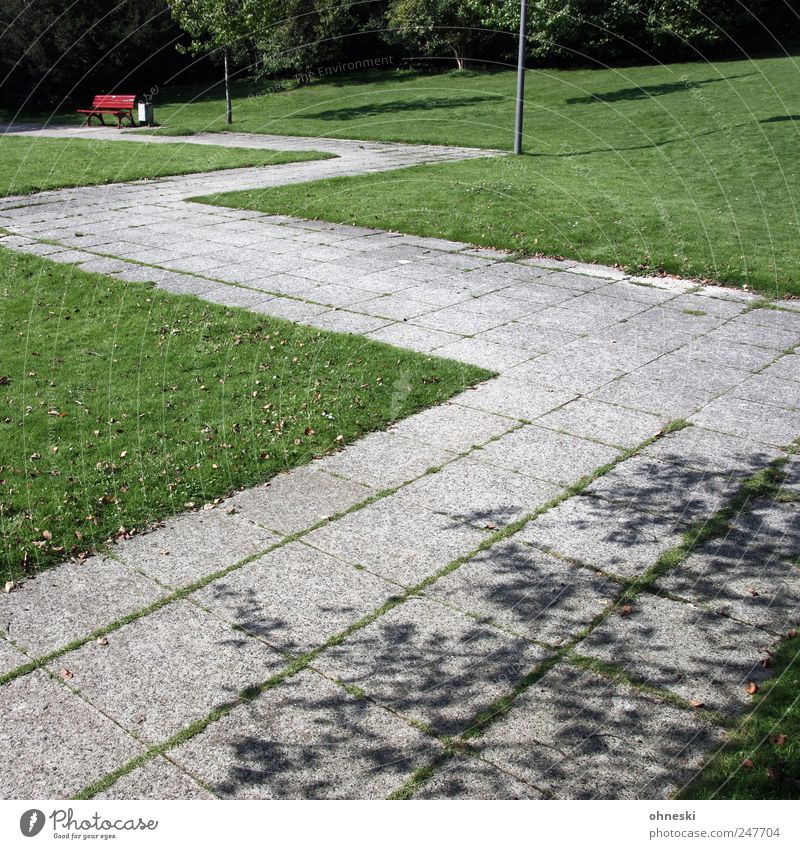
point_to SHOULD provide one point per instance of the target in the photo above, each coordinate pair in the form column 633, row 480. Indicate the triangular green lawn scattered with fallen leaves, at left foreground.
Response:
column 121, row 404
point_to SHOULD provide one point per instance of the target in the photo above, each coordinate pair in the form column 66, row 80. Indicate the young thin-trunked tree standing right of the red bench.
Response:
column 224, row 25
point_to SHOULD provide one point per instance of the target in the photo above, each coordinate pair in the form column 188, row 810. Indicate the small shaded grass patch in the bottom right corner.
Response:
column 762, row 758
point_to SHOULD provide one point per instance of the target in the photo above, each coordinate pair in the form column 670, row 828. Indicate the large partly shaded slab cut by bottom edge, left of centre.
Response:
column 306, row 739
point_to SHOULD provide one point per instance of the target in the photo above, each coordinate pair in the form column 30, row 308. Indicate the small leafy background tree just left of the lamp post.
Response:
column 433, row 26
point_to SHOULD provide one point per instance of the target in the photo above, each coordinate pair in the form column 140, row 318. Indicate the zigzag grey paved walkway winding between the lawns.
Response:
column 309, row 639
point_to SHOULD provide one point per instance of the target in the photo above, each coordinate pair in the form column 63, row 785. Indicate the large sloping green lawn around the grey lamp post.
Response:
column 690, row 169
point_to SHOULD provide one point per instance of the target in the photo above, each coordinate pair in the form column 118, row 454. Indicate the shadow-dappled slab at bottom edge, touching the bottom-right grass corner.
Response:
column 579, row 736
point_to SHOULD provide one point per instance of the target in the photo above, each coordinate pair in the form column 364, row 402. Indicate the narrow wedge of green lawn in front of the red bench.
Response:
column 30, row 164
